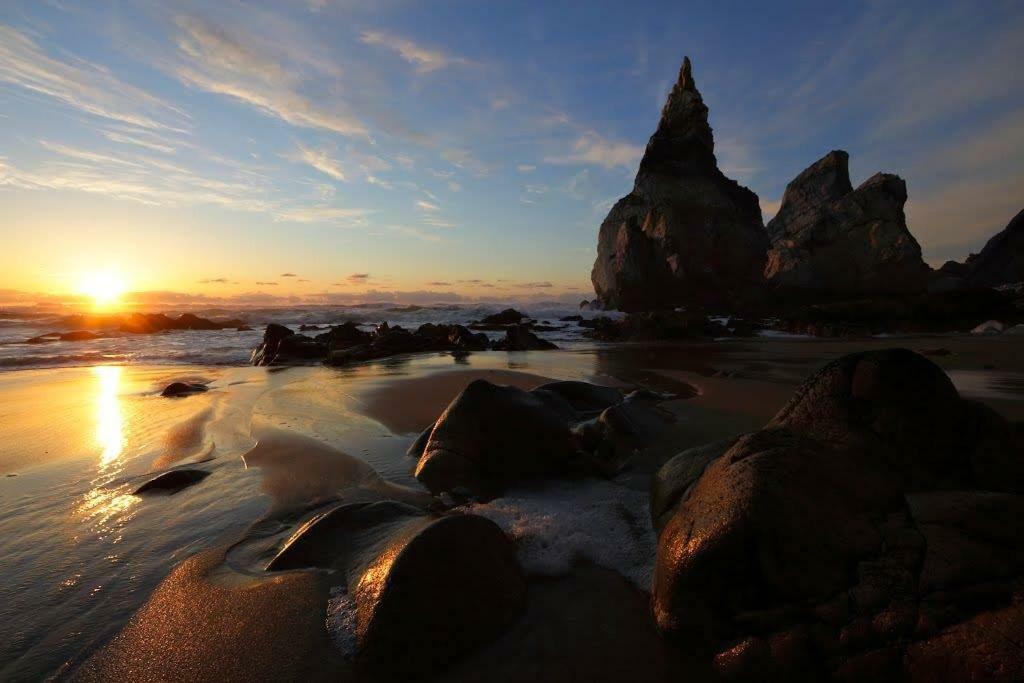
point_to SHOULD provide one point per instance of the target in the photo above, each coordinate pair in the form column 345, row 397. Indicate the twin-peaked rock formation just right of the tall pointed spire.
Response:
column 830, row 240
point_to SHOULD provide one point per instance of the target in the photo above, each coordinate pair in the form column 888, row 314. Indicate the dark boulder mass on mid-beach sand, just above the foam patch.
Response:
column 492, row 437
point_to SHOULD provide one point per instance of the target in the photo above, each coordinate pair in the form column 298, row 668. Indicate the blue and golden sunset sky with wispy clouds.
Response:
column 333, row 151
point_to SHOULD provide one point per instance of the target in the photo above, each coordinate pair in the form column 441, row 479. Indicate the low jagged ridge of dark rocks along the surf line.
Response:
column 347, row 344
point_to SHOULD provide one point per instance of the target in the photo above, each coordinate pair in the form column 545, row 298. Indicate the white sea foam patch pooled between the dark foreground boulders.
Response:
column 561, row 524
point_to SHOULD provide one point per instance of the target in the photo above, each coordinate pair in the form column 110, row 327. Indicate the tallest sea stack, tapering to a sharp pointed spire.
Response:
column 687, row 234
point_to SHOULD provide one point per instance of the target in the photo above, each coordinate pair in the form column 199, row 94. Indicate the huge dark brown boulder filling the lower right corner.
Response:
column 873, row 530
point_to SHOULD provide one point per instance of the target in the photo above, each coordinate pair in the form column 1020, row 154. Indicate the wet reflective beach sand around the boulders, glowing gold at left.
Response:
column 88, row 556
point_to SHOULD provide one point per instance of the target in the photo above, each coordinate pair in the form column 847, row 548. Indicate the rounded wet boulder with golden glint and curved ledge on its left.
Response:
column 421, row 589
